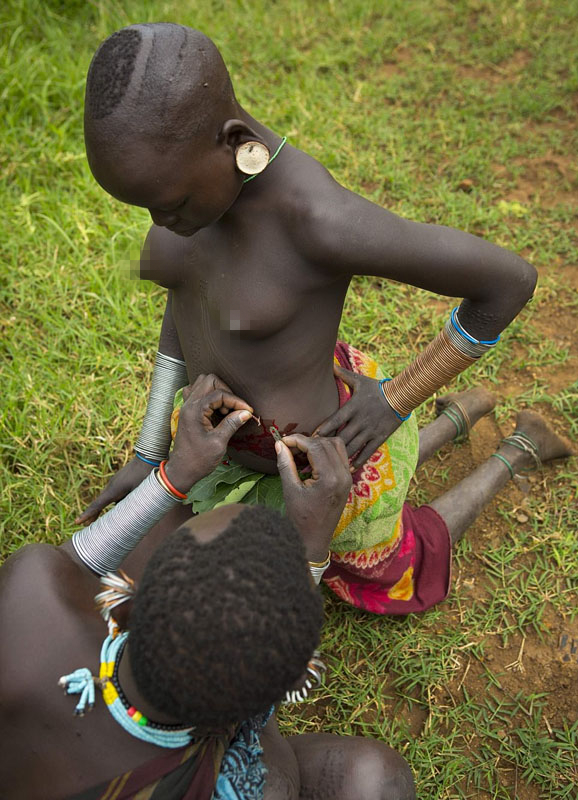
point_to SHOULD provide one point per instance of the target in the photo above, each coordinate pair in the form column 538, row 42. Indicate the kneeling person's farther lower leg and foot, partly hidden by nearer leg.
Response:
column 476, row 403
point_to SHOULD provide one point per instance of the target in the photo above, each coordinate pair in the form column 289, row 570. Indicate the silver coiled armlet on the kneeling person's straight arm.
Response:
column 169, row 375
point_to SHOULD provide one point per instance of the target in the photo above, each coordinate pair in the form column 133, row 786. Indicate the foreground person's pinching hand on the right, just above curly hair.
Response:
column 314, row 505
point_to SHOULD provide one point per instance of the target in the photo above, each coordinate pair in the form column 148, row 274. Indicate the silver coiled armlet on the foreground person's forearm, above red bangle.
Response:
column 104, row 544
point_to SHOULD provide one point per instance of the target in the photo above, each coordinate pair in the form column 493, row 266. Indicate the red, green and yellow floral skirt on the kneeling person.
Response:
column 386, row 557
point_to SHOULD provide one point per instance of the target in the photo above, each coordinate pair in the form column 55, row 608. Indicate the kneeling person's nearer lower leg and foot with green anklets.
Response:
column 460, row 506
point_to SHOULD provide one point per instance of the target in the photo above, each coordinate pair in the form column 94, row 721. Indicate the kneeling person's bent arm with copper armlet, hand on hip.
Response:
column 348, row 235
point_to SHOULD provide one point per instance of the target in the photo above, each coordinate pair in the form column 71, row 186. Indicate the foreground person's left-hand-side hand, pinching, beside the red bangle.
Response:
column 200, row 443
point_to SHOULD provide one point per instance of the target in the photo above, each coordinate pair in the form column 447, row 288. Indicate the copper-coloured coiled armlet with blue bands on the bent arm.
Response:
column 452, row 351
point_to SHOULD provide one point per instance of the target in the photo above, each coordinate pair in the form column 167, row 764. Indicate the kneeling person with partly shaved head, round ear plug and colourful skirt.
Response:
column 256, row 244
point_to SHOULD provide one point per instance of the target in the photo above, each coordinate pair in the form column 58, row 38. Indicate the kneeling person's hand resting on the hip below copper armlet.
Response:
column 367, row 418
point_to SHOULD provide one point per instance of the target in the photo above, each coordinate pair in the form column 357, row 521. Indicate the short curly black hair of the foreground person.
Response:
column 219, row 631
